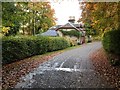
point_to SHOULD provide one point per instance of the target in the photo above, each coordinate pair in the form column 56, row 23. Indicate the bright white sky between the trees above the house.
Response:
column 64, row 9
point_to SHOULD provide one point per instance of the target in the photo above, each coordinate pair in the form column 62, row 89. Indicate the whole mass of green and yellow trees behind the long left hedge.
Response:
column 27, row 17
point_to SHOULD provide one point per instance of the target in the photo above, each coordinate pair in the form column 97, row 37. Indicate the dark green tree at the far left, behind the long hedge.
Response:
column 10, row 18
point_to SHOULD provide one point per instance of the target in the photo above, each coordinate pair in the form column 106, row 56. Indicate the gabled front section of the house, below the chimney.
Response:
column 72, row 27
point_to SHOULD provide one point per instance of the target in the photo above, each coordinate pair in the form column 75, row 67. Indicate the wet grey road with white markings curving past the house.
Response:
column 71, row 69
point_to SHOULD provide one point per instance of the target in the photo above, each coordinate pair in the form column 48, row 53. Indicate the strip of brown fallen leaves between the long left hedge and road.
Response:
column 11, row 73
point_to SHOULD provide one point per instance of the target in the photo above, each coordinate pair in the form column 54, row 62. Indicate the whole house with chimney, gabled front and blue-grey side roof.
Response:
column 72, row 31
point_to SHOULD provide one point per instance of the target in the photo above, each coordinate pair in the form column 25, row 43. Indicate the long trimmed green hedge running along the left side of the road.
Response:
column 17, row 48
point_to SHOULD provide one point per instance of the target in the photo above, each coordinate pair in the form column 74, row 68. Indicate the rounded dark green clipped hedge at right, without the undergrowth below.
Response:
column 111, row 42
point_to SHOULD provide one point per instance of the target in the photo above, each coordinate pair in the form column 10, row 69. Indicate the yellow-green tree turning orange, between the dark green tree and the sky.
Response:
column 41, row 17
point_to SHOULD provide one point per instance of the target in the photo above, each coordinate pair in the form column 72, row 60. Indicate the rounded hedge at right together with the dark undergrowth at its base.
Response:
column 111, row 43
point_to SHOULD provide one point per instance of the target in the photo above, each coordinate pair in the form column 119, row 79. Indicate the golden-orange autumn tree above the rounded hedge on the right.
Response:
column 101, row 16
